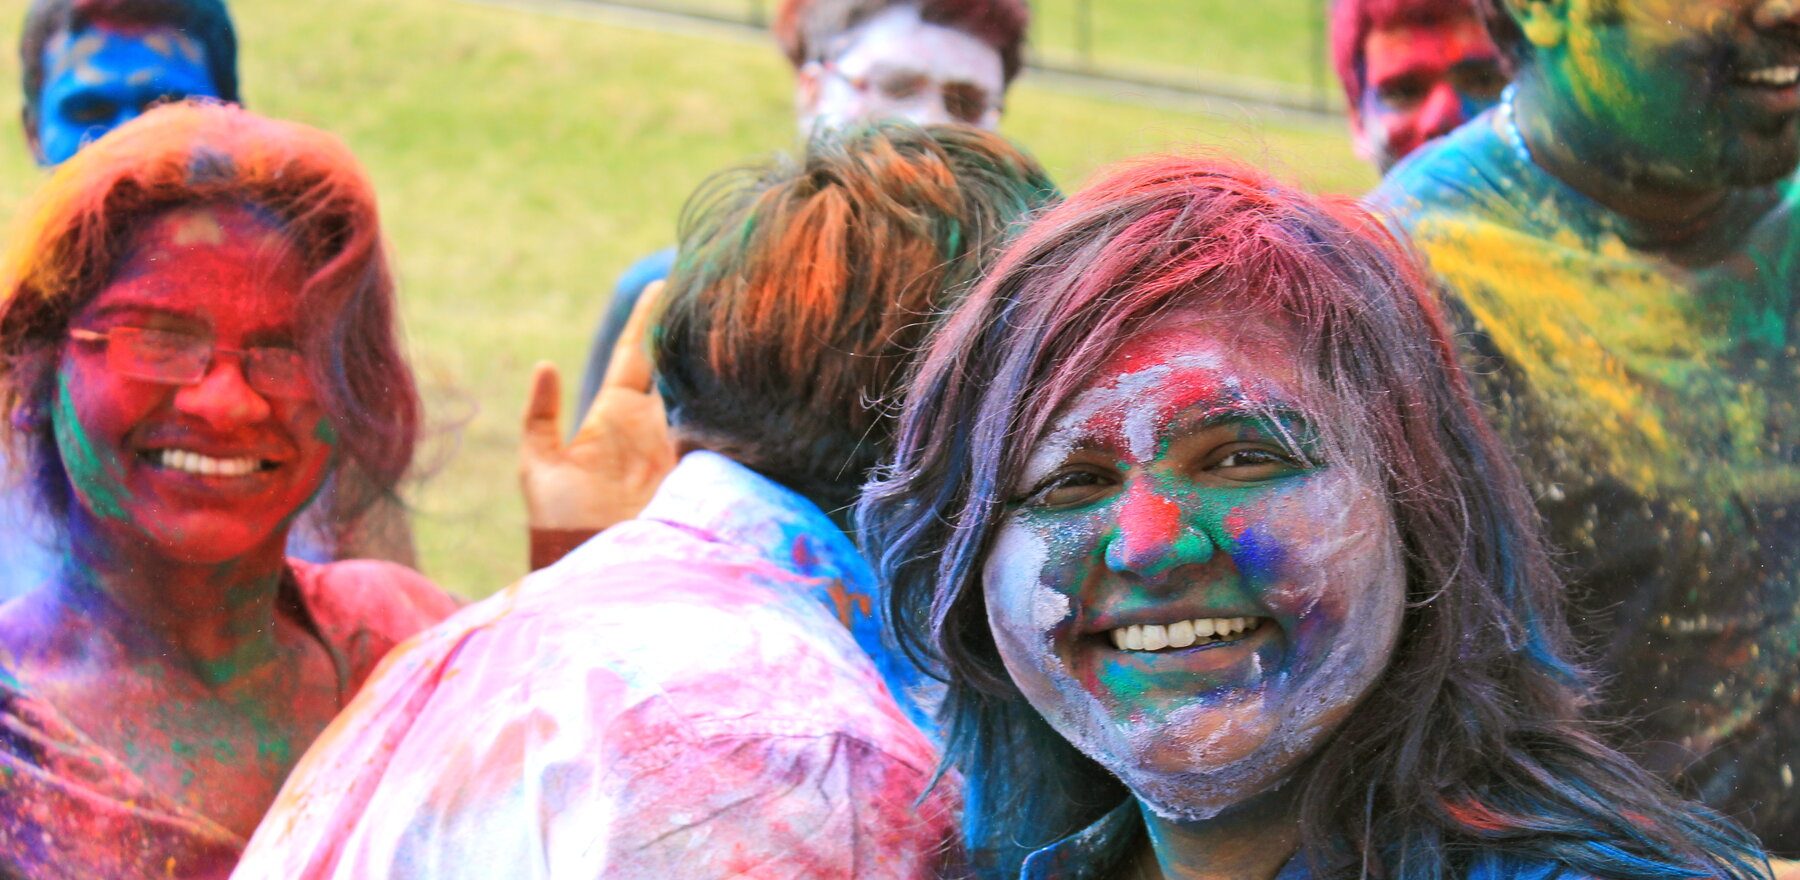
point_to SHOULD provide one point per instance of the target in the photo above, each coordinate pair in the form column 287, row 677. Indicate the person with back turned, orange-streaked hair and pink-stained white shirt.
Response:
column 701, row 692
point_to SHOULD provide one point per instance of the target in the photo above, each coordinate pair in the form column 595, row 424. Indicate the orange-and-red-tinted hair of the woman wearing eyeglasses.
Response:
column 71, row 237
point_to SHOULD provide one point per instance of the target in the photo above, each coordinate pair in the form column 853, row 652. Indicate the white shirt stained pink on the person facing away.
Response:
column 667, row 703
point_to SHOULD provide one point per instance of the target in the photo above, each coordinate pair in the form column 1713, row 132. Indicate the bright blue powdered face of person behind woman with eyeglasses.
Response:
column 102, row 78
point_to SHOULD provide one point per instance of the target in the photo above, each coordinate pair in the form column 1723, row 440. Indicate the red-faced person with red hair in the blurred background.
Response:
column 1412, row 71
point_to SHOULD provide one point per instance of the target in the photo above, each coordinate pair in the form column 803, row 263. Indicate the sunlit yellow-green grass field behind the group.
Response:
column 525, row 161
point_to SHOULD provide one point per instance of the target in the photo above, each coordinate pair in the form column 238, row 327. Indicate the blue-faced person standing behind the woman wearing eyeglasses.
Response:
column 89, row 67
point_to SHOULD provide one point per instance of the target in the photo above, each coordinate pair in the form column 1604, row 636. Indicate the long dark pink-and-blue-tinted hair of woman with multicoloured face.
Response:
column 1471, row 744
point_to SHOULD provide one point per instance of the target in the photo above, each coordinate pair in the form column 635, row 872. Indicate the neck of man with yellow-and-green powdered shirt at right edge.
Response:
column 1581, row 156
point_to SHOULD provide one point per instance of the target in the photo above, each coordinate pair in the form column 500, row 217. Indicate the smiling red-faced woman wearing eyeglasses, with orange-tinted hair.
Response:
column 197, row 334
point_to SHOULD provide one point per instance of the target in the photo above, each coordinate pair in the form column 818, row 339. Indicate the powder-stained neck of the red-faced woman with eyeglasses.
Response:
column 215, row 620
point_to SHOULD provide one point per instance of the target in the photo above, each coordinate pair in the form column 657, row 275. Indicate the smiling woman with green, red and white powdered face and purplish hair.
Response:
column 1227, row 573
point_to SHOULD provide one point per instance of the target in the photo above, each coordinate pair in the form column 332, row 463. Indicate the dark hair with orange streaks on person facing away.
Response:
column 804, row 287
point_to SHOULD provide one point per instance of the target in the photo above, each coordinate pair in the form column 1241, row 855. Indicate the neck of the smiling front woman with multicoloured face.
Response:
column 1252, row 841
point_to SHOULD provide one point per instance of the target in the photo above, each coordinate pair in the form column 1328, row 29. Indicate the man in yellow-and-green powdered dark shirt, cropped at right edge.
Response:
column 1619, row 240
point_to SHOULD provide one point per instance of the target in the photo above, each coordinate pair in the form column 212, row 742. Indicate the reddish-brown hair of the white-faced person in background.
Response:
column 809, row 30
